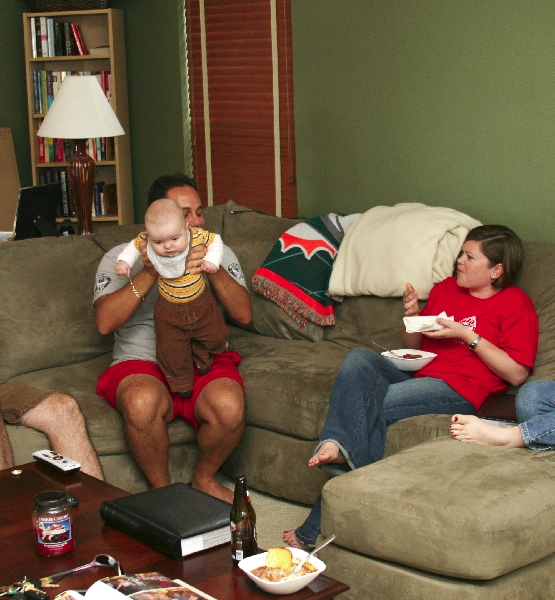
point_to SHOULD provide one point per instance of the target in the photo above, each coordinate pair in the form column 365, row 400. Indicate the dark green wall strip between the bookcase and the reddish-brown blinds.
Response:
column 153, row 34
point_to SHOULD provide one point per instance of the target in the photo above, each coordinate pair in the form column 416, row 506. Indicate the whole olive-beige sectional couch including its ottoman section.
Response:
column 436, row 518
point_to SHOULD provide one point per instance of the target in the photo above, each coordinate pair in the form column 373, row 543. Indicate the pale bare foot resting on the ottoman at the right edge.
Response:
column 473, row 430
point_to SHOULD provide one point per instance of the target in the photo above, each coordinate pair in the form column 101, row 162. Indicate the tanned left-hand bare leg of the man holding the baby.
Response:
column 145, row 405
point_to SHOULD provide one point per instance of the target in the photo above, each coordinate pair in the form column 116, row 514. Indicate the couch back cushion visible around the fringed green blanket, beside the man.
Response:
column 251, row 236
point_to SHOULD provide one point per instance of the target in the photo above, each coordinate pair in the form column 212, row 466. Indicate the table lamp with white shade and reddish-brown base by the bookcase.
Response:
column 80, row 111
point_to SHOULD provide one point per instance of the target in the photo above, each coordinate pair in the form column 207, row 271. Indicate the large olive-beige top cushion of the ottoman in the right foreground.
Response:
column 456, row 509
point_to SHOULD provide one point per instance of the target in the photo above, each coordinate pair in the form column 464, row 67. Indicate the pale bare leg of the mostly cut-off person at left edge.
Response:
column 61, row 420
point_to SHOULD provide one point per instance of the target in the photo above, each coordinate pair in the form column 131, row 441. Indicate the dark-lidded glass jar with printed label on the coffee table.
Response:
column 53, row 523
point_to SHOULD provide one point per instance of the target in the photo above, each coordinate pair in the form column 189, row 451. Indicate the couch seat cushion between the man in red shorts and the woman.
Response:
column 287, row 382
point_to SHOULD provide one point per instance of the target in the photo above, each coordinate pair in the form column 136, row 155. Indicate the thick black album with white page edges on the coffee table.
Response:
column 176, row 520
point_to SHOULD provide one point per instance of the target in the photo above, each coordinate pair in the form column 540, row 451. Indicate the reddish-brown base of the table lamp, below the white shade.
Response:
column 81, row 171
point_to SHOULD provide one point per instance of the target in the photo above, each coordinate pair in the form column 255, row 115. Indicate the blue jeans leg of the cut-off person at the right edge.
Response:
column 535, row 411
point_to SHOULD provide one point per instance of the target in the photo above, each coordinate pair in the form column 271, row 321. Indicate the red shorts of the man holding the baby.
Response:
column 224, row 366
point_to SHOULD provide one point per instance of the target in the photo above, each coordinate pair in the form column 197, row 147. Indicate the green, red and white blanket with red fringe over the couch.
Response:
column 296, row 273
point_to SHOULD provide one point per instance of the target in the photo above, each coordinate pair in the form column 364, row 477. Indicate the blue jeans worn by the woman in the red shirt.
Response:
column 368, row 395
